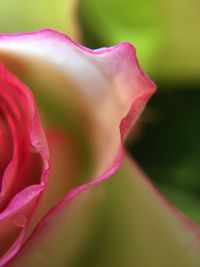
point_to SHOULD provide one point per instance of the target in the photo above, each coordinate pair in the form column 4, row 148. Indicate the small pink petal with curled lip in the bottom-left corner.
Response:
column 14, row 220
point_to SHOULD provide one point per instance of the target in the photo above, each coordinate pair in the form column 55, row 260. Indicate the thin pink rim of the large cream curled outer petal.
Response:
column 128, row 53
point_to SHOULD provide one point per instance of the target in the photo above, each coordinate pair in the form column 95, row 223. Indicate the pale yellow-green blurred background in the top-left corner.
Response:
column 24, row 15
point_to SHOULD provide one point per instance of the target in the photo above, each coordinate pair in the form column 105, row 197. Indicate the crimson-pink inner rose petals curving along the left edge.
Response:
column 25, row 177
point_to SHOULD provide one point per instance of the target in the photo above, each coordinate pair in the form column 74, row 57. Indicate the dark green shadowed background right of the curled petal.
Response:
column 169, row 149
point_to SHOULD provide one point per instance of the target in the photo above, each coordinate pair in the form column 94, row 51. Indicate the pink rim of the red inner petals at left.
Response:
column 31, row 194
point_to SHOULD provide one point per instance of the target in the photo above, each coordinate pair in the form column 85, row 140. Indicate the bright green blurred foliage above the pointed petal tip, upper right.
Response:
column 166, row 33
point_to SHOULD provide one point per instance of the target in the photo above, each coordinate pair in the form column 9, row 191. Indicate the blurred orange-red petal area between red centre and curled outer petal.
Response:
column 61, row 178
